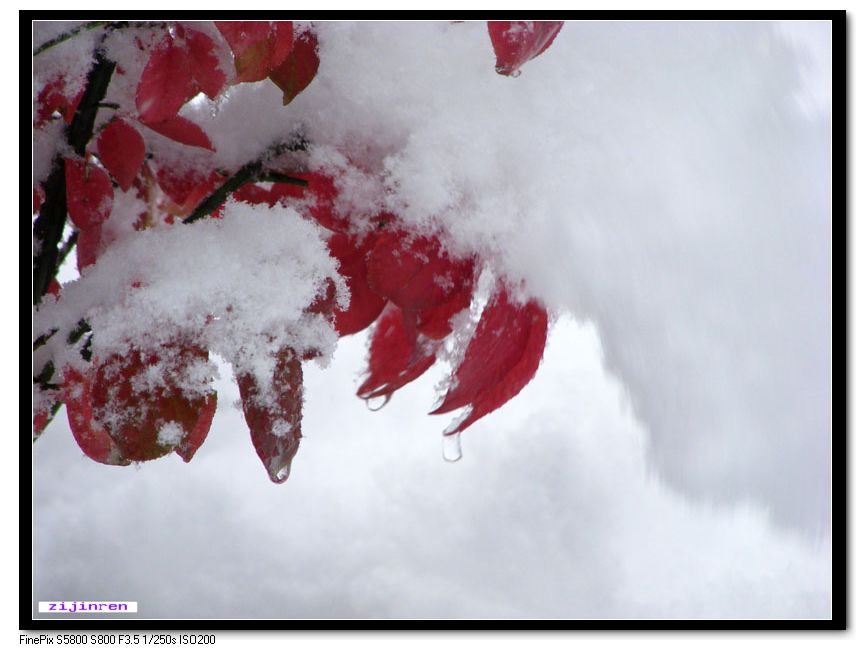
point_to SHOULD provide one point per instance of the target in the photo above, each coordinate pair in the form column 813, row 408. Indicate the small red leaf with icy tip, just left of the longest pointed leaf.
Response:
column 396, row 355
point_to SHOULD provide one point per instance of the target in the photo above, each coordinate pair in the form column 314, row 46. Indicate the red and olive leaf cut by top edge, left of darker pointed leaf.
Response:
column 258, row 46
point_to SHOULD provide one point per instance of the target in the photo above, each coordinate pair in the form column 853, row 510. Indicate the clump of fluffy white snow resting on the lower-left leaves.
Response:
column 237, row 285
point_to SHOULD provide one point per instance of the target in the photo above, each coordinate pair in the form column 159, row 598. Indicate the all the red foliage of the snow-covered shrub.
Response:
column 404, row 284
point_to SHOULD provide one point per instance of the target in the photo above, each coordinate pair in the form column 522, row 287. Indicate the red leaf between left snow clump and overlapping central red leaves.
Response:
column 365, row 305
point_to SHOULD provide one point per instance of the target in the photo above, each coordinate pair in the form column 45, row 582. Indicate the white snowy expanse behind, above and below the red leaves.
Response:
column 662, row 187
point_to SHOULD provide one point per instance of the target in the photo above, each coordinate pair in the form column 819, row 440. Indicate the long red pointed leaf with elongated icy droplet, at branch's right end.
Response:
column 501, row 358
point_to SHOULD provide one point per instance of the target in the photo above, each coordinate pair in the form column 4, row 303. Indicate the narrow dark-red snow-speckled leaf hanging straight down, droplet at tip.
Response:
column 275, row 427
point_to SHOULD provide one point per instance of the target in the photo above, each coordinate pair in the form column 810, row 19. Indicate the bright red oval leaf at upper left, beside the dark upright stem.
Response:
column 166, row 84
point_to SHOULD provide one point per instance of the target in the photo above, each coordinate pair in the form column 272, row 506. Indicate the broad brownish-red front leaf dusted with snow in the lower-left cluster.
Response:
column 145, row 417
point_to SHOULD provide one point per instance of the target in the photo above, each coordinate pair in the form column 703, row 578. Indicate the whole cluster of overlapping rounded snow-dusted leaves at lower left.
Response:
column 132, row 408
